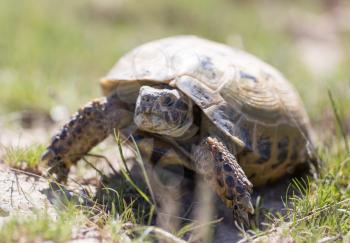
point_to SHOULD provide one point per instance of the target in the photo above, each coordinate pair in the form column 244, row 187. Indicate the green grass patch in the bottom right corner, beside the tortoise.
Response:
column 320, row 208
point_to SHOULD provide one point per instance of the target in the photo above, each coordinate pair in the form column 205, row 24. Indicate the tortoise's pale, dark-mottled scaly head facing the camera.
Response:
column 164, row 111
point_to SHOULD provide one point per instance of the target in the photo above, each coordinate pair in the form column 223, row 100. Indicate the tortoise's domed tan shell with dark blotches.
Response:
column 247, row 103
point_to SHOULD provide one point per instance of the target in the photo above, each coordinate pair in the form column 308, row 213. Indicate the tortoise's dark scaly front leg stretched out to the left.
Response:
column 88, row 127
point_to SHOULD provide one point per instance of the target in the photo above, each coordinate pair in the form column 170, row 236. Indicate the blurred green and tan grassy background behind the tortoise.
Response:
column 54, row 52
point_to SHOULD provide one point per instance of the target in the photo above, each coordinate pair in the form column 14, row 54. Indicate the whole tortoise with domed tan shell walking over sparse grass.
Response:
column 220, row 111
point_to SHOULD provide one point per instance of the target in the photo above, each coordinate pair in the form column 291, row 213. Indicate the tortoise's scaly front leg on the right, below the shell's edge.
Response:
column 221, row 170
